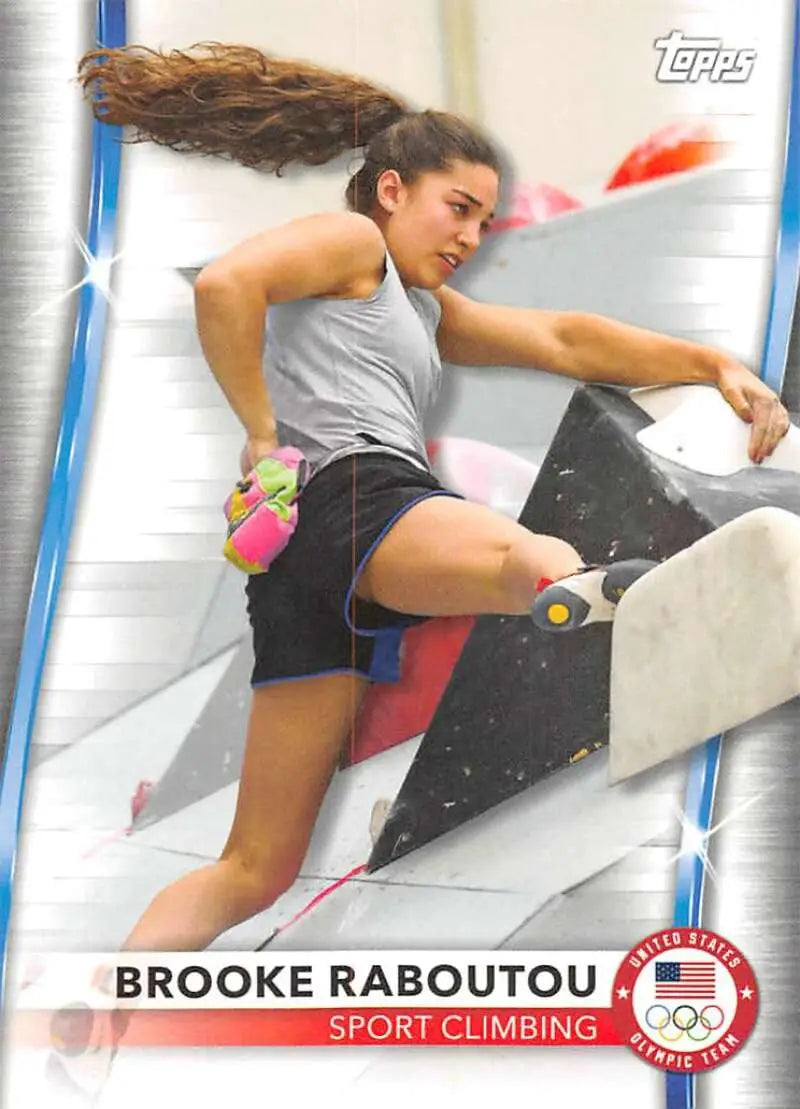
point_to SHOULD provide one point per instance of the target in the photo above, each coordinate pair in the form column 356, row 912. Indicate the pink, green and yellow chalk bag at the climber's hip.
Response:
column 262, row 511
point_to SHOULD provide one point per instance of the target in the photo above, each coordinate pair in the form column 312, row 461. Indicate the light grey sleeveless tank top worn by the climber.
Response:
column 347, row 374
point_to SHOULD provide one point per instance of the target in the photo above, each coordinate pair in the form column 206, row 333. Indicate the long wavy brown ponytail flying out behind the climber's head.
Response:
column 237, row 103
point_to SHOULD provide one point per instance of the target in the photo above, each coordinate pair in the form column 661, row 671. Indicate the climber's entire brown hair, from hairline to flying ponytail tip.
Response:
column 267, row 113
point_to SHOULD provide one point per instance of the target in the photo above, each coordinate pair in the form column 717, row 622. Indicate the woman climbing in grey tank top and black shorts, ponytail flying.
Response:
column 357, row 317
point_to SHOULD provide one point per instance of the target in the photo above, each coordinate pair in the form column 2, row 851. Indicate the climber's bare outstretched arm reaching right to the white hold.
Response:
column 595, row 349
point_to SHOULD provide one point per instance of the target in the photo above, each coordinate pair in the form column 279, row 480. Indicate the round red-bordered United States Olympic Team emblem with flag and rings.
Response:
column 685, row 1000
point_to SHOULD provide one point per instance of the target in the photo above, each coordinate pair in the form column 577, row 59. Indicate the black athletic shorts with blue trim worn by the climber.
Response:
column 306, row 617
